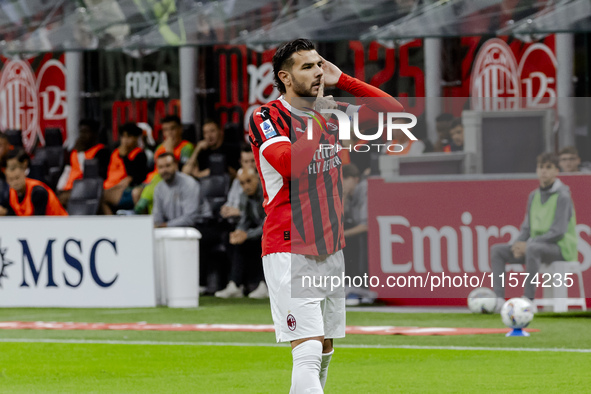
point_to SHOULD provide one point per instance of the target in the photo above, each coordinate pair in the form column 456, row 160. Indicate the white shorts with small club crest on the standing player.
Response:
column 297, row 316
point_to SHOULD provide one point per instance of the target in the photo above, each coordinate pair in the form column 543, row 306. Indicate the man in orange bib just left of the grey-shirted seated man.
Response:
column 127, row 170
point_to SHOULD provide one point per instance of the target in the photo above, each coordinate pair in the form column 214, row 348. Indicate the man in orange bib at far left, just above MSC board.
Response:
column 28, row 197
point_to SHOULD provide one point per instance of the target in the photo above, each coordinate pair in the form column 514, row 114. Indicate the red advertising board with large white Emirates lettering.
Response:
column 433, row 229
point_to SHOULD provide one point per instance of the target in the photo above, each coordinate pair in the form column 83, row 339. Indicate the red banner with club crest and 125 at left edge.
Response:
column 33, row 96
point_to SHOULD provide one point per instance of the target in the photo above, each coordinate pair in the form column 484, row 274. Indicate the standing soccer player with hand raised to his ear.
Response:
column 304, row 228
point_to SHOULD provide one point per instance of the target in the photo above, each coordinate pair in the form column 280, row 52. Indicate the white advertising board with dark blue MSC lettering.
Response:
column 77, row 262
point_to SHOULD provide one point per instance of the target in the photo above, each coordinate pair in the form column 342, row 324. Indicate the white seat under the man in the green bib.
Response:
column 557, row 296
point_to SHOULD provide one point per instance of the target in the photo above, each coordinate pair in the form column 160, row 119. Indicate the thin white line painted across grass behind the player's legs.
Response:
column 255, row 344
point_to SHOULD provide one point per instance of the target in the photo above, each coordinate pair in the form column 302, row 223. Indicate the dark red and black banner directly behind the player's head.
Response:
column 243, row 78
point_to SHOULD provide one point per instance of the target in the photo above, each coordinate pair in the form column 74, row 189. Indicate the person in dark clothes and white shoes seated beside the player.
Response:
column 246, row 262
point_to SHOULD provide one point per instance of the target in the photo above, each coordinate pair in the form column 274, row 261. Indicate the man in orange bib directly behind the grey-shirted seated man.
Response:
column 172, row 130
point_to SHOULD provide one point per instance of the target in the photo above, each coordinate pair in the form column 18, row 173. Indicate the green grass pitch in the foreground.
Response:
column 45, row 361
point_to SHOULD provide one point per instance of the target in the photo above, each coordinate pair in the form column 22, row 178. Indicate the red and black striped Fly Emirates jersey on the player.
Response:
column 301, row 177
